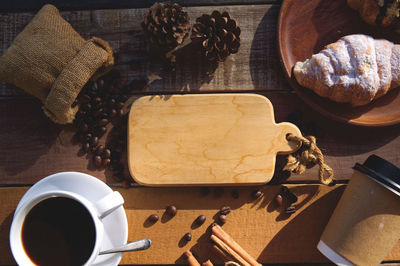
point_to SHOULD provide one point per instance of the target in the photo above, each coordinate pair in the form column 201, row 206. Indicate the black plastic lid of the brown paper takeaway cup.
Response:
column 382, row 171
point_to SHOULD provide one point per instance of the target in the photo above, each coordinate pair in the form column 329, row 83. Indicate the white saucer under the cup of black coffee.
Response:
column 93, row 189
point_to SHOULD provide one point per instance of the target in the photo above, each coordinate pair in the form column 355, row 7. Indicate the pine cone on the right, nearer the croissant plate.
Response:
column 219, row 35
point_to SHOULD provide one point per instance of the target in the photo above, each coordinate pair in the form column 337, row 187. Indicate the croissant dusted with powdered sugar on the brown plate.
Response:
column 356, row 69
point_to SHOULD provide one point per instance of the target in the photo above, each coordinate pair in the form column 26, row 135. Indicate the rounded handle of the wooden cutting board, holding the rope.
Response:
column 285, row 146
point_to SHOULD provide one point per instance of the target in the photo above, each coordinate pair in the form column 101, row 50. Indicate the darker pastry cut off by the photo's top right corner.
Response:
column 378, row 12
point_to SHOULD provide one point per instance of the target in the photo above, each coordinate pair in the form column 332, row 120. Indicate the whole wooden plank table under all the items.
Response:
column 32, row 147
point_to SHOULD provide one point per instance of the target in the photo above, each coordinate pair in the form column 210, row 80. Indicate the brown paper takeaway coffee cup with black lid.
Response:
column 366, row 222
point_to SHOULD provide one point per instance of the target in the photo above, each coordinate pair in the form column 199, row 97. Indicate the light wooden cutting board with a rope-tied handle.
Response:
column 205, row 139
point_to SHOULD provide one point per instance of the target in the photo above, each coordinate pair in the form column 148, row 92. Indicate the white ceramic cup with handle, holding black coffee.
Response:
column 97, row 210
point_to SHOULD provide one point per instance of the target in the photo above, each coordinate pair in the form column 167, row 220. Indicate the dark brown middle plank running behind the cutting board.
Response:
column 33, row 147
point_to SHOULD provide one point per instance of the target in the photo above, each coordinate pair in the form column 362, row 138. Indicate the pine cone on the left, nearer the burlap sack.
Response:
column 166, row 25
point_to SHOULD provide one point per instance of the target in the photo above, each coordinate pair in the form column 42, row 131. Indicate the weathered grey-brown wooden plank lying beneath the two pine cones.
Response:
column 255, row 67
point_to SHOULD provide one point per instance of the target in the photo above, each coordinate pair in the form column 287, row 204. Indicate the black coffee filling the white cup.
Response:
column 58, row 231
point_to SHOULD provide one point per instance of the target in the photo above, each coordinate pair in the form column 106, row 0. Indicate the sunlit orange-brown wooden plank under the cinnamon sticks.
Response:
column 257, row 225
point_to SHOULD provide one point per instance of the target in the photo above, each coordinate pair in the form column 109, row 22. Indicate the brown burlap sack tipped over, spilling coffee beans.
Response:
column 51, row 61
